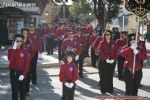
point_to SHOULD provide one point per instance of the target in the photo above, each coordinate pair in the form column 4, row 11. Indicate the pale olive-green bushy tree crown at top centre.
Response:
column 80, row 11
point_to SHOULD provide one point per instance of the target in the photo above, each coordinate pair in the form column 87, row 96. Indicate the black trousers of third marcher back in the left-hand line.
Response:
column 33, row 66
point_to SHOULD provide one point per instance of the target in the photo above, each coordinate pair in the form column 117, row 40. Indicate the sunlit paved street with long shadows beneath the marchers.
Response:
column 49, row 87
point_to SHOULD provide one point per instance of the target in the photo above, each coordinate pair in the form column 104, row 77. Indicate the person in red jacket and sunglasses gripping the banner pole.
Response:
column 132, row 80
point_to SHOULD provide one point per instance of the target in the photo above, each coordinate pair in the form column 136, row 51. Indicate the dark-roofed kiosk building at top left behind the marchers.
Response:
column 14, row 16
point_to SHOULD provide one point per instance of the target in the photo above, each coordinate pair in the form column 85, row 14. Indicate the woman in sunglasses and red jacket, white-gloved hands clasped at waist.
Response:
column 108, row 56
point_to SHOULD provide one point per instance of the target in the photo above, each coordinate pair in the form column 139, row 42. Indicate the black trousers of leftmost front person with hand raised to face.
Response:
column 17, row 86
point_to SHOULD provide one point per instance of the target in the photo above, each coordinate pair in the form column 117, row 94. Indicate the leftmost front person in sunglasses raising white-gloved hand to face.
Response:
column 19, row 59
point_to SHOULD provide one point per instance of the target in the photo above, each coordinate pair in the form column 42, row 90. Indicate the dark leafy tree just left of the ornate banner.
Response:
column 105, row 14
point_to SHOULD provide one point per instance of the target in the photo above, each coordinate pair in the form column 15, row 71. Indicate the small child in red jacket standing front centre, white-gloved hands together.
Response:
column 68, row 76
